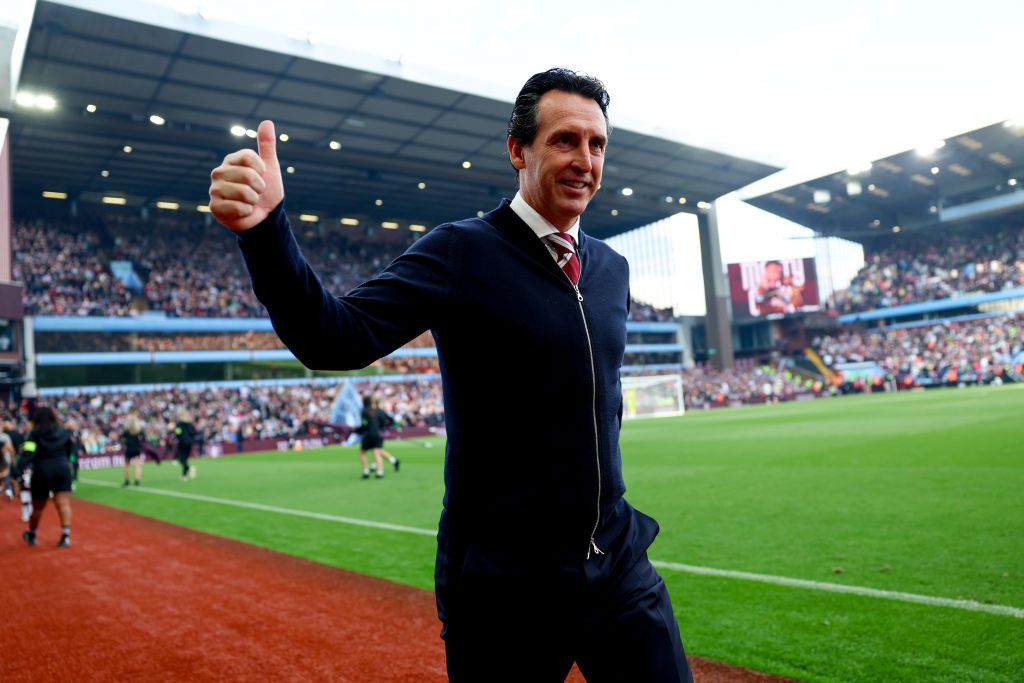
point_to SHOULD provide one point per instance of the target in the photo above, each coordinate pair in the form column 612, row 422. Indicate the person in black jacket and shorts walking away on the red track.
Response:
column 48, row 451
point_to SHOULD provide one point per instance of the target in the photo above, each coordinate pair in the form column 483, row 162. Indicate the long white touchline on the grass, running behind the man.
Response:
column 969, row 606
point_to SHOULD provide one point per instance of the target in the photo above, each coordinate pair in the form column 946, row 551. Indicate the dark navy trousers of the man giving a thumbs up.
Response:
column 611, row 615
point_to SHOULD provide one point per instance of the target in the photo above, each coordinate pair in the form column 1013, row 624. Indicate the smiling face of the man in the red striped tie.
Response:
column 561, row 170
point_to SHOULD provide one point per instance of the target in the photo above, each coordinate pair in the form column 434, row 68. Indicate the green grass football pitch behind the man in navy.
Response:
column 919, row 493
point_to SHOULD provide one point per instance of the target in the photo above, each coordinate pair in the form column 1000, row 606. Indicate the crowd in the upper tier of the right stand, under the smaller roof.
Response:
column 933, row 268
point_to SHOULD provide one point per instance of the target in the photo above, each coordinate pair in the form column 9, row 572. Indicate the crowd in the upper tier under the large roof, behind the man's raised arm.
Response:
column 187, row 271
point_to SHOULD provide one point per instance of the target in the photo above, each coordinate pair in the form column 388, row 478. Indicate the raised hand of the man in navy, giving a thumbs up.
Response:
column 247, row 186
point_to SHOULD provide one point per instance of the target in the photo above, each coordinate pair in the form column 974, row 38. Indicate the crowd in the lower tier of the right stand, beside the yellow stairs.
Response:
column 977, row 352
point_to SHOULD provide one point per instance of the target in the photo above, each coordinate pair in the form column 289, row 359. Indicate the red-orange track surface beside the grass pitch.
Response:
column 140, row 600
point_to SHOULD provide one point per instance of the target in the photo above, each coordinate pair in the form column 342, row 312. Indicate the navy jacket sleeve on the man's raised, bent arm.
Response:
column 350, row 332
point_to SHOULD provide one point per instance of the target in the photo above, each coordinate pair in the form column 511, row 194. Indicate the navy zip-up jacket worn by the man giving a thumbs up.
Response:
column 533, row 399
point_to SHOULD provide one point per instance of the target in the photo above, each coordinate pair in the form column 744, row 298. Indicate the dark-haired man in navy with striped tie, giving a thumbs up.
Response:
column 535, row 569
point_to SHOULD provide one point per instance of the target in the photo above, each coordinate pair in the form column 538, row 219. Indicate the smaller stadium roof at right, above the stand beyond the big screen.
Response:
column 971, row 178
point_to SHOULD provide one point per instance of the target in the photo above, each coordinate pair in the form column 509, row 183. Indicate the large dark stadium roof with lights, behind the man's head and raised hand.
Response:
column 394, row 134
